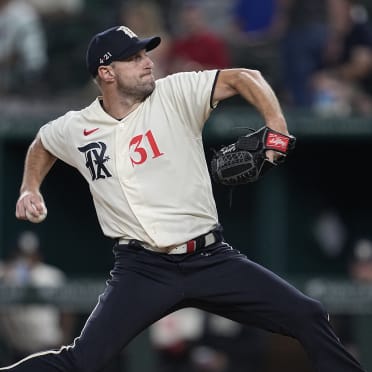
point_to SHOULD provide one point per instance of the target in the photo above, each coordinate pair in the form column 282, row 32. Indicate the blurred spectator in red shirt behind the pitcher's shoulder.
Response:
column 195, row 46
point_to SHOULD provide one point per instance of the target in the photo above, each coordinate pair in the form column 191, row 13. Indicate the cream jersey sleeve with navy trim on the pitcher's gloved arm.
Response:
column 192, row 95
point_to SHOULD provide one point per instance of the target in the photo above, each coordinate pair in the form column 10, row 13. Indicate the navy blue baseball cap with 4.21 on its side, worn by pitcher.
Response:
column 115, row 44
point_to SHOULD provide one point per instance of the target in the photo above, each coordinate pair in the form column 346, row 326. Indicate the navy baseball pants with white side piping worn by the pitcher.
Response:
column 146, row 286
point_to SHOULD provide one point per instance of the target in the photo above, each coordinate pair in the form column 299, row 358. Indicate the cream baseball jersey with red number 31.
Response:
column 147, row 172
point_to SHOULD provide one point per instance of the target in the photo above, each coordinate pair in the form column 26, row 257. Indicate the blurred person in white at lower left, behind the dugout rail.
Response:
column 29, row 328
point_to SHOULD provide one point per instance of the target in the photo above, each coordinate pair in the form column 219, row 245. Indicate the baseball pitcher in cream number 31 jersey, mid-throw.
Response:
column 139, row 146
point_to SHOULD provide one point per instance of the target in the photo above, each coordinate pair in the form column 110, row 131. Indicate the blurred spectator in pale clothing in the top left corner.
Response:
column 23, row 49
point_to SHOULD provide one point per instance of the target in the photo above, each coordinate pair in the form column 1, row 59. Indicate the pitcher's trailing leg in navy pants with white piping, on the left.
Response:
column 135, row 299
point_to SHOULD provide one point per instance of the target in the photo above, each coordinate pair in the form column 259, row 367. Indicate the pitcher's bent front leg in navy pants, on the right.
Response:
column 248, row 293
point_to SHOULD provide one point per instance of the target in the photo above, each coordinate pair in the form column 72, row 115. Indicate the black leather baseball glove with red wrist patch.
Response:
column 245, row 160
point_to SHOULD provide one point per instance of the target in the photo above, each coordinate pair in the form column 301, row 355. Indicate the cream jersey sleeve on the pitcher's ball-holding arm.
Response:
column 56, row 139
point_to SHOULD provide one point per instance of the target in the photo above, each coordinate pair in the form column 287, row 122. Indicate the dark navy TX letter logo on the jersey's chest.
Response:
column 96, row 159
